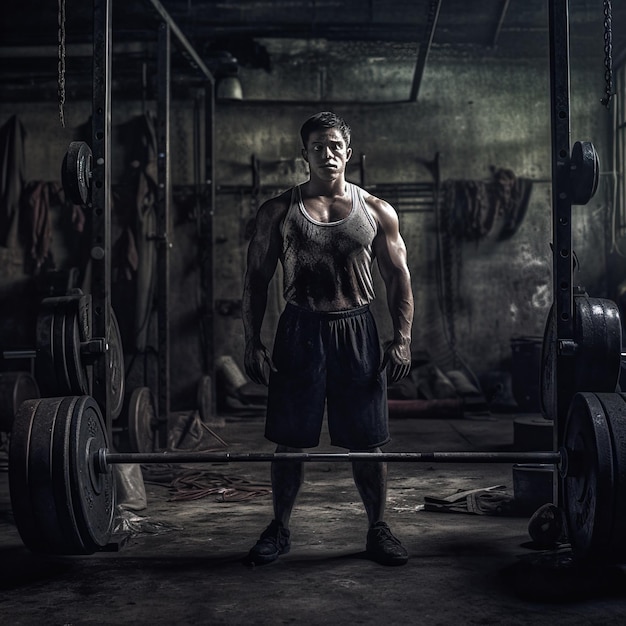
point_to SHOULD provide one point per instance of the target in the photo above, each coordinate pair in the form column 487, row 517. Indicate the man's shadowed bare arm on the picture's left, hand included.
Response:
column 263, row 253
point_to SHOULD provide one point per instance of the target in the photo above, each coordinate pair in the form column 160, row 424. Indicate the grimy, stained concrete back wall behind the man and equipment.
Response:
column 476, row 109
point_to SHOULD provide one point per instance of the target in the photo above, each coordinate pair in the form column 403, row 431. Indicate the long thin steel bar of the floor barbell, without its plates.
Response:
column 104, row 459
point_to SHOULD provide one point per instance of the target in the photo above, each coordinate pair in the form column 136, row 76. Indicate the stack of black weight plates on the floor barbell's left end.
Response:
column 61, row 505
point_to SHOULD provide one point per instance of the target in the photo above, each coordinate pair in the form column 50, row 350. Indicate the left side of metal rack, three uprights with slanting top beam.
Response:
column 101, row 197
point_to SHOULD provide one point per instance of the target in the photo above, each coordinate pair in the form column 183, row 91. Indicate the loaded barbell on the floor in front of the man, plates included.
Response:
column 63, row 490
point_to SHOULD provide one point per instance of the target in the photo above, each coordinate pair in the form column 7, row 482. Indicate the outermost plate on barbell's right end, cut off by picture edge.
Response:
column 615, row 412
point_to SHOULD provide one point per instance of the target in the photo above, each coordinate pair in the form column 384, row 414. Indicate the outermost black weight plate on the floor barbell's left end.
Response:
column 19, row 451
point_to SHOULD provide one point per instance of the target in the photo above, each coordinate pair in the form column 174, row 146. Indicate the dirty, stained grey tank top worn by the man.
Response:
column 328, row 266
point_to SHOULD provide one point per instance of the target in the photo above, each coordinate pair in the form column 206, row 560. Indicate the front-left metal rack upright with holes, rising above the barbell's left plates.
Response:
column 101, row 198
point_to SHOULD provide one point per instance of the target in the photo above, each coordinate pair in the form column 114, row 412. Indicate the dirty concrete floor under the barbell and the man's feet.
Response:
column 463, row 569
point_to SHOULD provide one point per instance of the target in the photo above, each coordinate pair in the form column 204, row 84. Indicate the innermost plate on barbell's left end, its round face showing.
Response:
column 93, row 492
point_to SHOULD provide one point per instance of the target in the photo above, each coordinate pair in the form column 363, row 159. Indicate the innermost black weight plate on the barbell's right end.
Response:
column 589, row 483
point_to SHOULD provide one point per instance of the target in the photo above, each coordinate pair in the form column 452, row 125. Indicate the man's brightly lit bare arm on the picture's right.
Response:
column 390, row 251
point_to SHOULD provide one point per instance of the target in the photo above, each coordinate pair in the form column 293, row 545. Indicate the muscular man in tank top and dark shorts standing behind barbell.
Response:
column 327, row 232
